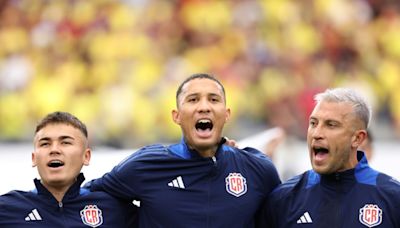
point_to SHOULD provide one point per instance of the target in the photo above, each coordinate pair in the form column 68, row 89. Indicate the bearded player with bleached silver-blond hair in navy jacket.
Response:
column 341, row 190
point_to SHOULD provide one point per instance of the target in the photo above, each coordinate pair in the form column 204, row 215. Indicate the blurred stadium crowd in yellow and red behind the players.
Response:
column 117, row 64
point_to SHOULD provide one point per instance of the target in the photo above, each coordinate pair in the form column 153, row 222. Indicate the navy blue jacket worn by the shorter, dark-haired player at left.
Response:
column 79, row 208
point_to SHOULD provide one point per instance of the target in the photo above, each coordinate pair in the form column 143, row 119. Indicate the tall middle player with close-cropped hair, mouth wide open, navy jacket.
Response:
column 198, row 182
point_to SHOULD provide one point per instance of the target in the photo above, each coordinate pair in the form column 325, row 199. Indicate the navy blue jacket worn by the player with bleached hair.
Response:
column 360, row 197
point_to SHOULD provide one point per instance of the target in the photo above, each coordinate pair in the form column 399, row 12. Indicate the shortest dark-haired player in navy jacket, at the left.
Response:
column 60, row 151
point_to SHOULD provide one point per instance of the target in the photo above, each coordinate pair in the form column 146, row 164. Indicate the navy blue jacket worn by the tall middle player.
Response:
column 179, row 188
